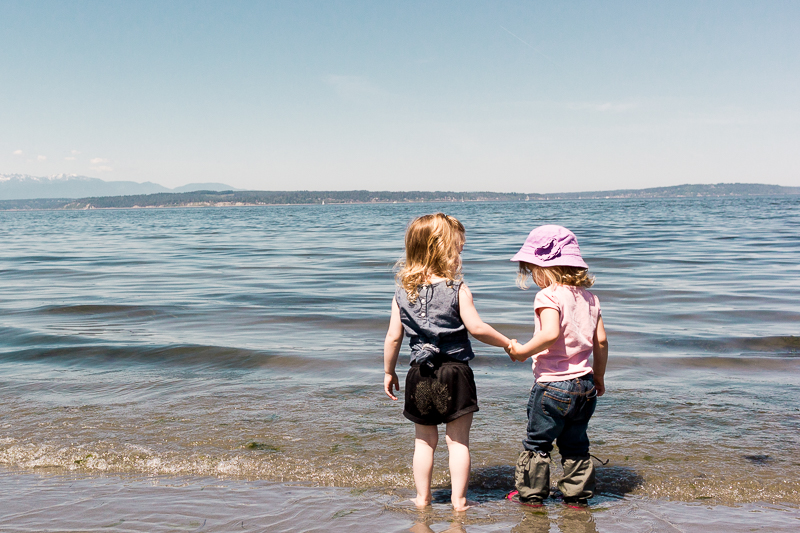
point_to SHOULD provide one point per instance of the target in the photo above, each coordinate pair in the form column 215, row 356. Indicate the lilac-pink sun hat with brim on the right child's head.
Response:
column 551, row 246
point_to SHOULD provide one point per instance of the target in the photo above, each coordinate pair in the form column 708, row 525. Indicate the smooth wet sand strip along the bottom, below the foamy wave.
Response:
column 71, row 502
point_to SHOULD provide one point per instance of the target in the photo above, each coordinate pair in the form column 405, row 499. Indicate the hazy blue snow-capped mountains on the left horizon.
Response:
column 22, row 186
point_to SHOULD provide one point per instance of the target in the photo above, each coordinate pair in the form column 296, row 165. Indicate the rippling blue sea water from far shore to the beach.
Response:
column 241, row 348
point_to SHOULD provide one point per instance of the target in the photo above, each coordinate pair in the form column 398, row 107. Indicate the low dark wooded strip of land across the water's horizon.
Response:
column 278, row 198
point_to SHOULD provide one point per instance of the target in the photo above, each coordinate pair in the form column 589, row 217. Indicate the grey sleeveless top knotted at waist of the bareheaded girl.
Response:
column 434, row 319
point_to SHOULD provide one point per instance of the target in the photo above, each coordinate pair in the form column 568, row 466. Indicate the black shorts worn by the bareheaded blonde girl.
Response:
column 441, row 395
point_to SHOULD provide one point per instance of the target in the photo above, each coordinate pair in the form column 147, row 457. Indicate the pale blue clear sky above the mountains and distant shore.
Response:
column 529, row 96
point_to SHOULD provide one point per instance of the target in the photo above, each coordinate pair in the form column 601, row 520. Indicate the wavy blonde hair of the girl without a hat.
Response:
column 433, row 248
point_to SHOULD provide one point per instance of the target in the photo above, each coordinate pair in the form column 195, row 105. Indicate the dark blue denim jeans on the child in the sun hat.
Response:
column 560, row 411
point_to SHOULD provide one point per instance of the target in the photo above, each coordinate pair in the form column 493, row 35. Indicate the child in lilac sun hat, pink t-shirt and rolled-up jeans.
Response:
column 569, row 329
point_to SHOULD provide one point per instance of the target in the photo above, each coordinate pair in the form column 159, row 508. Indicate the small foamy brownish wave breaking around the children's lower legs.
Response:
column 277, row 463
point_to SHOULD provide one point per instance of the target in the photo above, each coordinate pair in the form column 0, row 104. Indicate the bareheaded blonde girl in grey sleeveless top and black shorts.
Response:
column 434, row 307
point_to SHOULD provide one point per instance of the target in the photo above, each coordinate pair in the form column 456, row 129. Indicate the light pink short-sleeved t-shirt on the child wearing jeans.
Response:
column 568, row 357
